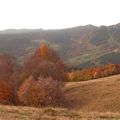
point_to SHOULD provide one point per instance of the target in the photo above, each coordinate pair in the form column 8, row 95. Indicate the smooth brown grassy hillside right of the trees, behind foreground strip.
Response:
column 101, row 95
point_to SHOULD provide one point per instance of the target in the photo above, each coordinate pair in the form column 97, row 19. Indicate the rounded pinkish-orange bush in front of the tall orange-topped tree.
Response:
column 41, row 92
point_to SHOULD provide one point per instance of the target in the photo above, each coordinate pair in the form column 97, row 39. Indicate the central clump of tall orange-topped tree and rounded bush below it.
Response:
column 45, row 87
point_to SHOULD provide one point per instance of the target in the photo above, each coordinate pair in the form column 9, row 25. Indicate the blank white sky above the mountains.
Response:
column 57, row 14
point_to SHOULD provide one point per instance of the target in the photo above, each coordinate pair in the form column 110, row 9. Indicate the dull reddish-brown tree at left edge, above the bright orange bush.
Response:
column 9, row 73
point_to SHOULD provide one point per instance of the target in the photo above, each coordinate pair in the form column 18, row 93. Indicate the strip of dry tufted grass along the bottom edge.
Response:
column 29, row 113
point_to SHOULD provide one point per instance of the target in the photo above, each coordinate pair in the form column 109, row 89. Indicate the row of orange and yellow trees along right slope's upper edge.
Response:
column 94, row 73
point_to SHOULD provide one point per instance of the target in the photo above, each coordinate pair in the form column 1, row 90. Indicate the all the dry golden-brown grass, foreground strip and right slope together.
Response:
column 93, row 100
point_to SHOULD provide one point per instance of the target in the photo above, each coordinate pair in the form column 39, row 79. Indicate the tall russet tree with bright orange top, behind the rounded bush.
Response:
column 44, row 62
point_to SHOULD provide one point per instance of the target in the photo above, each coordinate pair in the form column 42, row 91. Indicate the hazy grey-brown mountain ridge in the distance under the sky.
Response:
column 83, row 45
